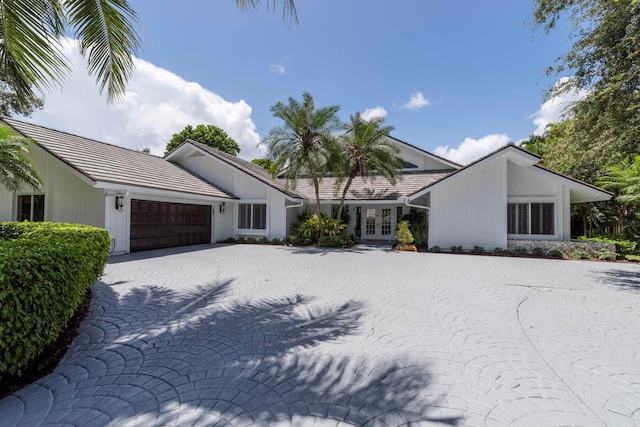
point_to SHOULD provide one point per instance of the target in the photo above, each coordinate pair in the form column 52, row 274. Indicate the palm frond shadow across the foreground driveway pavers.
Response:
column 155, row 357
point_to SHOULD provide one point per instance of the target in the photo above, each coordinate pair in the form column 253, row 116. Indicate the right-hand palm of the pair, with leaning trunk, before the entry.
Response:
column 367, row 151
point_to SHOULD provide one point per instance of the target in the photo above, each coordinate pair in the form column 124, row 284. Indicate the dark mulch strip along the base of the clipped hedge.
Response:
column 52, row 354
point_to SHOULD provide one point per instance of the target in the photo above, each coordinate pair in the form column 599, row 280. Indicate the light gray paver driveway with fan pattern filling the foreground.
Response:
column 244, row 335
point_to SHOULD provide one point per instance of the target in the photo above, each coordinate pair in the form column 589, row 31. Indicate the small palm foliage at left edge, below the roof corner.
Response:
column 15, row 167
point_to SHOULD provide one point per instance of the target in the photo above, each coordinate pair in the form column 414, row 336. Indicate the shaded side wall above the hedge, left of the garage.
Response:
column 67, row 197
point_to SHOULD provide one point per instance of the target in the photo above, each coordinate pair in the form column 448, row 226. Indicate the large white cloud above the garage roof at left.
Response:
column 157, row 104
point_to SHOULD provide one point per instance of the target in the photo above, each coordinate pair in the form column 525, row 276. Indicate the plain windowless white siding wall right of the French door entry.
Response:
column 470, row 208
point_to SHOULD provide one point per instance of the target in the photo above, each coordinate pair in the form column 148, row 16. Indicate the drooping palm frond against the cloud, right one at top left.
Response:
column 108, row 39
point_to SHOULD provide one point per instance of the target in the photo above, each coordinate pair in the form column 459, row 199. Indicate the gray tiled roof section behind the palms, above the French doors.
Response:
column 376, row 188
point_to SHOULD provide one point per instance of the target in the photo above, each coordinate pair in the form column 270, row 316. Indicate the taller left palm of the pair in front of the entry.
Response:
column 304, row 143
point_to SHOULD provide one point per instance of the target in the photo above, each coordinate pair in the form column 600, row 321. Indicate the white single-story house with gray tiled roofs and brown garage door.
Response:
column 197, row 194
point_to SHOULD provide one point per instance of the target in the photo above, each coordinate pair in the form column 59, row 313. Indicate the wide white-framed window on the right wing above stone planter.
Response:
column 530, row 218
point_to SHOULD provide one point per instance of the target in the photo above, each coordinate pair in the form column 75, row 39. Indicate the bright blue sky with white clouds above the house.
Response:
column 475, row 71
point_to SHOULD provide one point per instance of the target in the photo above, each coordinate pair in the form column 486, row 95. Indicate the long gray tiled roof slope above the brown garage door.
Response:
column 102, row 162
